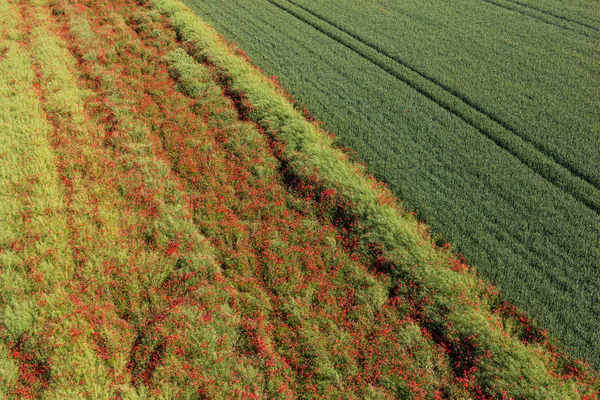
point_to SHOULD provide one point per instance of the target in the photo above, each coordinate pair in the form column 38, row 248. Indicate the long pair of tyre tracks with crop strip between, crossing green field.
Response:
column 558, row 172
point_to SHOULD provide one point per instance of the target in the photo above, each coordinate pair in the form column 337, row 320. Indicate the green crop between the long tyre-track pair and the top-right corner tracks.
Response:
column 512, row 88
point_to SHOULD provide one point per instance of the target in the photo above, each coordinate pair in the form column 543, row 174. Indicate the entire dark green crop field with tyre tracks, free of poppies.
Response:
column 482, row 115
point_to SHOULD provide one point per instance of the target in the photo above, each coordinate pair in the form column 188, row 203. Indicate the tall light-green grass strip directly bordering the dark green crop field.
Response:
column 520, row 370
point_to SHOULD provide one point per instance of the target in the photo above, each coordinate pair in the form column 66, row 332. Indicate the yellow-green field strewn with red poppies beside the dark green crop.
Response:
column 175, row 227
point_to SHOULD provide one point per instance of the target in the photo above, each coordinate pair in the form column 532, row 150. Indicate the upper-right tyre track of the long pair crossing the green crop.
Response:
column 463, row 98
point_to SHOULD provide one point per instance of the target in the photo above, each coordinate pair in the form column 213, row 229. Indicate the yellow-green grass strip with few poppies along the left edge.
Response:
column 35, row 258
